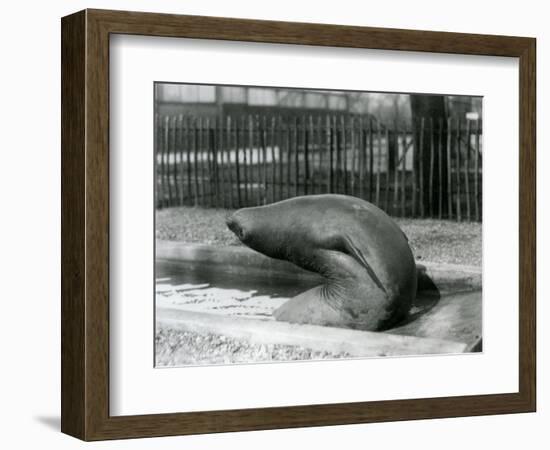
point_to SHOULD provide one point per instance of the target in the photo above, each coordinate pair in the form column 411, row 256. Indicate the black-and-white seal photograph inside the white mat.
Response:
column 296, row 224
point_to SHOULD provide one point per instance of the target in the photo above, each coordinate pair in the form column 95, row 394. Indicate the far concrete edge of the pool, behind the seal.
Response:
column 240, row 259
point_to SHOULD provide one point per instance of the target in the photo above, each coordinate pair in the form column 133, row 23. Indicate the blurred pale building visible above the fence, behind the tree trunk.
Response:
column 208, row 100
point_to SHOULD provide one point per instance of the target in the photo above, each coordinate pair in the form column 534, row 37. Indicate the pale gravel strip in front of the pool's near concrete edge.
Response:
column 177, row 348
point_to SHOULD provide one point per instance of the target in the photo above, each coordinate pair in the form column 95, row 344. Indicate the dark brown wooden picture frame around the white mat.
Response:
column 85, row 224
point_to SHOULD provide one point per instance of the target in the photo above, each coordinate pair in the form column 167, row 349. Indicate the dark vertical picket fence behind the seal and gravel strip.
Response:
column 430, row 169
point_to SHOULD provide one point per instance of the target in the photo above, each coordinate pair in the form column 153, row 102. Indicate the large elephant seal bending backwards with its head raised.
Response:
column 364, row 257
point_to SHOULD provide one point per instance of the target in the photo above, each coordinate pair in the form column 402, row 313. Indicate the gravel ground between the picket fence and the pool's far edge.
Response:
column 432, row 240
